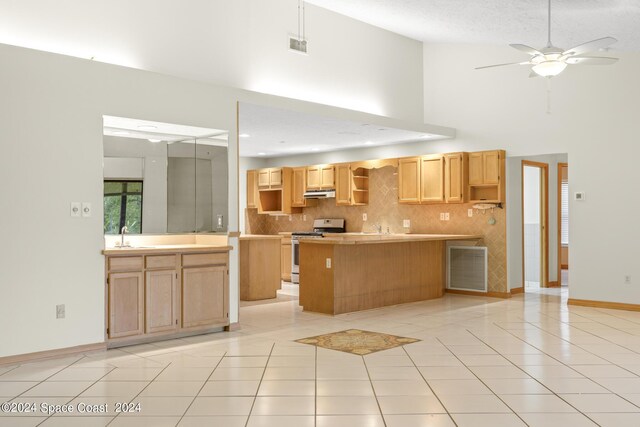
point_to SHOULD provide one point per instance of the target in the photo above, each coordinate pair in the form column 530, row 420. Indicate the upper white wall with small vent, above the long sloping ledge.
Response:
column 239, row 43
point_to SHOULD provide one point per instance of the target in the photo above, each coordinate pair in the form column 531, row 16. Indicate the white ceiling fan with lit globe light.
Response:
column 551, row 60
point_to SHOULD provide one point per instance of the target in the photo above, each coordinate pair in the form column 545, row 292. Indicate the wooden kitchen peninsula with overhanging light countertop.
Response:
column 357, row 271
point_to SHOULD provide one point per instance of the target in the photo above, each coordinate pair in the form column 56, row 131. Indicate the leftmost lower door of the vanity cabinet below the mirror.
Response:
column 126, row 304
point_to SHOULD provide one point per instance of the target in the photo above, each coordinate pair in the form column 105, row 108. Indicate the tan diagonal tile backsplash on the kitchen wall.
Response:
column 384, row 209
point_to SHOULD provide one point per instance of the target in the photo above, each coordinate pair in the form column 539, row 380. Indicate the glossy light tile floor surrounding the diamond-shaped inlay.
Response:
column 529, row 360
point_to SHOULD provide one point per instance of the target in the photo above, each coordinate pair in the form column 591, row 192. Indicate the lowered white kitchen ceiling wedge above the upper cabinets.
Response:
column 274, row 132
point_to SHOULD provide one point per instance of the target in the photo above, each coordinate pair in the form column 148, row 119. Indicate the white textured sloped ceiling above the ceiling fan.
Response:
column 500, row 21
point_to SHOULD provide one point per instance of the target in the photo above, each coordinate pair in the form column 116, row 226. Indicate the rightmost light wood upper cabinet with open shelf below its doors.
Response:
column 486, row 176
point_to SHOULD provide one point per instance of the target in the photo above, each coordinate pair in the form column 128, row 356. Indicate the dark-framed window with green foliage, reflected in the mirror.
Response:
column 122, row 206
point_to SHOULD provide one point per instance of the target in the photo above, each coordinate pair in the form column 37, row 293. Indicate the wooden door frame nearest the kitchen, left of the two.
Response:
column 544, row 218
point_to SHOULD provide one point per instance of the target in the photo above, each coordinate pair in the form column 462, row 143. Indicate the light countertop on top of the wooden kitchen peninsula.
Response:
column 373, row 238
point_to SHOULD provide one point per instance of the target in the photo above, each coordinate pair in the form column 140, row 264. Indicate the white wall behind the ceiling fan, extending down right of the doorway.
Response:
column 594, row 120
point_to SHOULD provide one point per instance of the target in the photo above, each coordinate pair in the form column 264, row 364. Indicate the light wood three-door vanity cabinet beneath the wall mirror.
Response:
column 151, row 295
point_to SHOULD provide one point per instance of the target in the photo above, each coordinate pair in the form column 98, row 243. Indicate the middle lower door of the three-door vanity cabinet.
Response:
column 160, row 308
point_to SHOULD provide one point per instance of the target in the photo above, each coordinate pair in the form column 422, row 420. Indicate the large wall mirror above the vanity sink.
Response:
column 164, row 178
